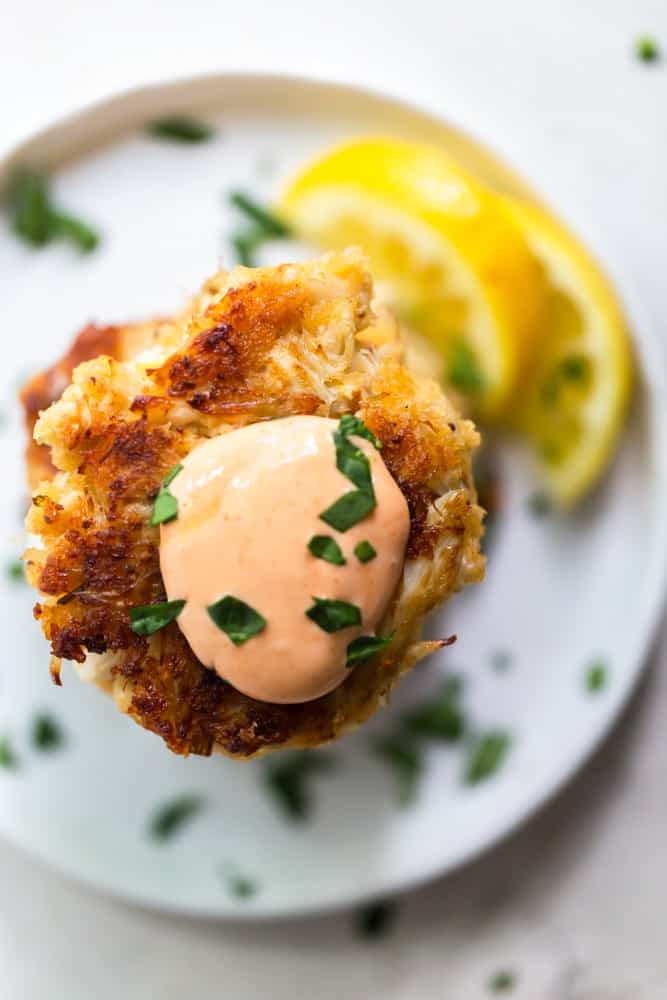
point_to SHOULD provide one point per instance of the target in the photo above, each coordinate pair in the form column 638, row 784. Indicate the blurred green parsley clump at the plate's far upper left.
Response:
column 37, row 221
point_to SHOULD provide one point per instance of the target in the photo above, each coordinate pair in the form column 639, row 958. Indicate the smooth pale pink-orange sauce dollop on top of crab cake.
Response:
column 248, row 504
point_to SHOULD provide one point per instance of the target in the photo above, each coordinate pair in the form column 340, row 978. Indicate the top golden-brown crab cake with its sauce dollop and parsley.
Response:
column 261, row 359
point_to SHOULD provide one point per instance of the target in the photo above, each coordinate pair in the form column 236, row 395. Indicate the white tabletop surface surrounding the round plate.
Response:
column 574, row 903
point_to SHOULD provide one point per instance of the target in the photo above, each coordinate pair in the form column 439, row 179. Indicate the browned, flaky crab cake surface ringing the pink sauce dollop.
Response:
column 254, row 345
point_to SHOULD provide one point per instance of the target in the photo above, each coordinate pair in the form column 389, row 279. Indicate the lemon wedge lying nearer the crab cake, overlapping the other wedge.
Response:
column 445, row 256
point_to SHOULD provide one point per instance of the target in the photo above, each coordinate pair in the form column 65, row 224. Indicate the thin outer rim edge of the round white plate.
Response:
column 651, row 364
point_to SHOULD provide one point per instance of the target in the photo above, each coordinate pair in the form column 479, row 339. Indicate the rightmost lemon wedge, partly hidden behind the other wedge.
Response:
column 575, row 398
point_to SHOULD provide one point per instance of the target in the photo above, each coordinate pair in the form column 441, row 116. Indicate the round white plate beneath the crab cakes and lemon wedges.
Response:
column 559, row 593
